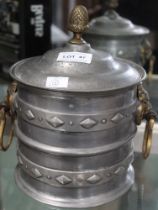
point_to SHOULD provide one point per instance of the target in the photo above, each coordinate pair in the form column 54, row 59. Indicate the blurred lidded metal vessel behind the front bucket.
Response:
column 119, row 36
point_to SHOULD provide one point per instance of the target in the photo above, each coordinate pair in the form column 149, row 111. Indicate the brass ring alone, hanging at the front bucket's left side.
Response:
column 4, row 146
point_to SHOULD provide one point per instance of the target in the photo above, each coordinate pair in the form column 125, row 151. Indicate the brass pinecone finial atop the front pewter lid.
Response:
column 78, row 23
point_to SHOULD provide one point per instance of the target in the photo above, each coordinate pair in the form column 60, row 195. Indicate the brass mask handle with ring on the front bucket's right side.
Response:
column 144, row 111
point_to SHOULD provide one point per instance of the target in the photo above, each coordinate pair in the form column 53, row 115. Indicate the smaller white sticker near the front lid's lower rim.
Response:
column 57, row 82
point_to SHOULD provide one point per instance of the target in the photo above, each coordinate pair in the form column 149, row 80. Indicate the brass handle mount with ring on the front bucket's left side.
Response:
column 5, row 113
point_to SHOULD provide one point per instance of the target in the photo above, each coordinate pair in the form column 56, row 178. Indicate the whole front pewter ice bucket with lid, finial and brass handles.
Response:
column 76, row 112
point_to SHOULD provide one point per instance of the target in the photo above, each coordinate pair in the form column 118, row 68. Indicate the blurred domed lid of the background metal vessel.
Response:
column 112, row 24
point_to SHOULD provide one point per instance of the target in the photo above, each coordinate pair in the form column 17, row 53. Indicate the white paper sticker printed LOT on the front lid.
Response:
column 75, row 57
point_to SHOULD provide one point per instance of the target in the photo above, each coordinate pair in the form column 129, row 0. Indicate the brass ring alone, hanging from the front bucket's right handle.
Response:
column 147, row 143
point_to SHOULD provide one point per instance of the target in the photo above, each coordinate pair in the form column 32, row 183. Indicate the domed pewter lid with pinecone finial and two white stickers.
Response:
column 77, row 67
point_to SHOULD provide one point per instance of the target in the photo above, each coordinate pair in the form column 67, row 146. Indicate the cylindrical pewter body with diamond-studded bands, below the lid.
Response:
column 75, row 146
